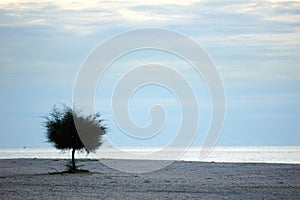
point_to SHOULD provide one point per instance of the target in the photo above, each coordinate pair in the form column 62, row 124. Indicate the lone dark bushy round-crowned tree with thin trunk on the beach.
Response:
column 63, row 134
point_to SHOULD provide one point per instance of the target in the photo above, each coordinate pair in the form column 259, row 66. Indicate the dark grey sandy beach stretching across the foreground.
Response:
column 30, row 179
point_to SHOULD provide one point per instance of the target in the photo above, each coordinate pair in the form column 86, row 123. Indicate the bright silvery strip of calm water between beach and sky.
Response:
column 287, row 154
